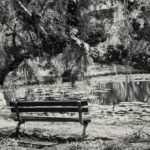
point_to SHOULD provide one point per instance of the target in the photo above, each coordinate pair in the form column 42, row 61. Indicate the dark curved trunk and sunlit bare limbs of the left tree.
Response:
column 43, row 35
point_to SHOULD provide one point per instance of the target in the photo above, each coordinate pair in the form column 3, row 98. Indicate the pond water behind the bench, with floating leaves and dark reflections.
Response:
column 102, row 93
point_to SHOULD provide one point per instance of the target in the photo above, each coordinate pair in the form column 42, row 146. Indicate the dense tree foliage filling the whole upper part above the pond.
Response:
column 70, row 32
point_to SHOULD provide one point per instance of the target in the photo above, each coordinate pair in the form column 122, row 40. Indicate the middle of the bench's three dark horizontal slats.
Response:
column 49, row 109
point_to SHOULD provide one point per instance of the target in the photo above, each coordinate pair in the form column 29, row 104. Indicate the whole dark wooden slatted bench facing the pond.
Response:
column 23, row 108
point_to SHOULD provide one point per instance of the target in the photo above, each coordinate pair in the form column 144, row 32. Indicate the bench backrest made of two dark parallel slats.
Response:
column 49, row 106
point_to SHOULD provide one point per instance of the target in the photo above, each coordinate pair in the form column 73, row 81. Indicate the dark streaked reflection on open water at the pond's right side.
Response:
column 131, row 91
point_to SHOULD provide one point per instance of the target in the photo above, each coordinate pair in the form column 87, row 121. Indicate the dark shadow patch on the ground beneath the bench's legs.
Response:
column 35, row 139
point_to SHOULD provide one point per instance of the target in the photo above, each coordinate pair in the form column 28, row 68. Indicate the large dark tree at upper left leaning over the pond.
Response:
column 38, row 28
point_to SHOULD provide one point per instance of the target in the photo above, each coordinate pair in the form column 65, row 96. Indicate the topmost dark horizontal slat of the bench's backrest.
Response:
column 49, row 103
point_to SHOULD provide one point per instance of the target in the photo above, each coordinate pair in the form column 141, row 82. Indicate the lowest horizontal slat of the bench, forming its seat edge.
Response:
column 52, row 119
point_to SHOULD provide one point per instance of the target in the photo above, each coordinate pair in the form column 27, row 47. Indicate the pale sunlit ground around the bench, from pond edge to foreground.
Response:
column 125, row 128
